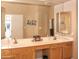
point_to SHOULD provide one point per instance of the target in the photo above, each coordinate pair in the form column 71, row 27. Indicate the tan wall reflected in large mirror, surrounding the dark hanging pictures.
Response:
column 31, row 12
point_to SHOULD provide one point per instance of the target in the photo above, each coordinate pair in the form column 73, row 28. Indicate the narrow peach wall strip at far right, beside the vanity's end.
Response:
column 75, row 28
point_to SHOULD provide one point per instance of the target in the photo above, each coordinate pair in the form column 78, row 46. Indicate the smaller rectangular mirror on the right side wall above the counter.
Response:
column 63, row 23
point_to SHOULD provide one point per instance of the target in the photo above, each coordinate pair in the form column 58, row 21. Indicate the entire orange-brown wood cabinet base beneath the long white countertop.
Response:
column 55, row 51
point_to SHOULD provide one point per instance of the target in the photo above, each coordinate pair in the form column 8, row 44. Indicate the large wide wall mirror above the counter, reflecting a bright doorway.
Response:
column 27, row 20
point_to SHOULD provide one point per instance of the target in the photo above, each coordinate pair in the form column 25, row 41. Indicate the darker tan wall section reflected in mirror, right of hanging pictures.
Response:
column 43, row 21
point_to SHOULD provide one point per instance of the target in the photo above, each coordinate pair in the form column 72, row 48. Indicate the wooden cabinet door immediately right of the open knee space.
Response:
column 56, row 53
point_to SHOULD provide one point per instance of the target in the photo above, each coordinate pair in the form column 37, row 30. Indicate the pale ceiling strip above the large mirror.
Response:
column 43, row 2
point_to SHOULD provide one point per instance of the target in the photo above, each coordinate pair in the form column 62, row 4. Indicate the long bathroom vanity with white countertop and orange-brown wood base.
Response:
column 55, row 49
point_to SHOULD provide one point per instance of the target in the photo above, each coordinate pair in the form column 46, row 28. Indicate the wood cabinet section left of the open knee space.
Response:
column 18, row 53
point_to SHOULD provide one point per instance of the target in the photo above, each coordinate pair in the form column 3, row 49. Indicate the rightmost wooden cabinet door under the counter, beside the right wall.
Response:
column 67, row 51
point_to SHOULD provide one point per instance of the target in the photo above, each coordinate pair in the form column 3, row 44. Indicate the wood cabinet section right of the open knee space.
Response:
column 61, row 51
